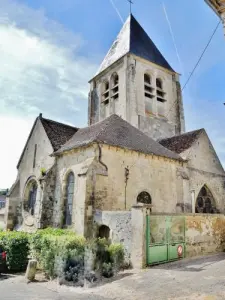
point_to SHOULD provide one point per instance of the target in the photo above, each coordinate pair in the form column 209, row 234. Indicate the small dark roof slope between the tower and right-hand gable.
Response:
column 180, row 143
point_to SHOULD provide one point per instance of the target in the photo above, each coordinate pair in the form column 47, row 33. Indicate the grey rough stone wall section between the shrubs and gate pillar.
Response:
column 119, row 223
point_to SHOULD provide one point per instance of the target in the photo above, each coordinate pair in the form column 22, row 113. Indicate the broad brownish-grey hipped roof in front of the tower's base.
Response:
column 115, row 131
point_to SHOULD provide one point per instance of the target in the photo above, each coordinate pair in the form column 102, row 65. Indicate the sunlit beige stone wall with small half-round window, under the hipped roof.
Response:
column 156, row 175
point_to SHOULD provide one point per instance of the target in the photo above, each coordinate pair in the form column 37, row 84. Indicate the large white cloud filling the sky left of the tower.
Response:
column 41, row 71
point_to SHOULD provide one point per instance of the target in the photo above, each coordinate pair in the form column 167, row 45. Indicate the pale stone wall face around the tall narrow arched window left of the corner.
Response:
column 77, row 161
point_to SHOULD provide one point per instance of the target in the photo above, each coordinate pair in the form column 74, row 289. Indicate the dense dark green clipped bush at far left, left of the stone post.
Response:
column 16, row 245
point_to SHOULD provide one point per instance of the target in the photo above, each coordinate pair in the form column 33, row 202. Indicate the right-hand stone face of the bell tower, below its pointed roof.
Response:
column 154, row 126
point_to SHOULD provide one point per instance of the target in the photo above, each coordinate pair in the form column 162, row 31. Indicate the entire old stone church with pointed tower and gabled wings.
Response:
column 134, row 150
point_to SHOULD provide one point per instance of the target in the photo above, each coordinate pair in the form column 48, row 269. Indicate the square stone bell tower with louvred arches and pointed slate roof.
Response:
column 136, row 82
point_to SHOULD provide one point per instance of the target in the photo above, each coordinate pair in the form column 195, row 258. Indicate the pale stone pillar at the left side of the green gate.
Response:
column 138, row 241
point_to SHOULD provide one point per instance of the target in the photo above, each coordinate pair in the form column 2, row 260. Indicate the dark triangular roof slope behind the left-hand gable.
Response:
column 58, row 133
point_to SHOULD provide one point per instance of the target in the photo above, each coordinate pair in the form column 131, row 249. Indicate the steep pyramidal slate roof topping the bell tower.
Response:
column 133, row 39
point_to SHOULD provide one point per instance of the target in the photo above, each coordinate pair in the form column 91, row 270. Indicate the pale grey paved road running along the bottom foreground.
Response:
column 195, row 279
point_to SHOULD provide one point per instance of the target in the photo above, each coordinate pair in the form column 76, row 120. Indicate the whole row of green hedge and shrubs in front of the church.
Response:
column 61, row 253
